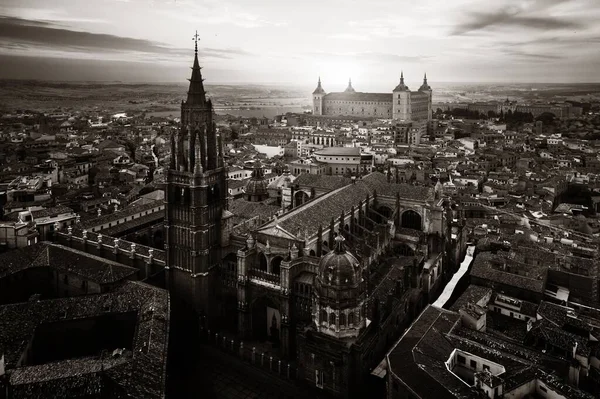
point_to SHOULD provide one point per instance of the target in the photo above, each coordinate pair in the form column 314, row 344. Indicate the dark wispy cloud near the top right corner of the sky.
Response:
column 511, row 18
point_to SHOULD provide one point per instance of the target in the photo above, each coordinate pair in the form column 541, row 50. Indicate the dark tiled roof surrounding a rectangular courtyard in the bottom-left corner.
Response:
column 140, row 373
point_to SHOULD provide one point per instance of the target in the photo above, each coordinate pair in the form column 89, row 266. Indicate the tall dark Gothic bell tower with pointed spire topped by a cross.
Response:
column 195, row 201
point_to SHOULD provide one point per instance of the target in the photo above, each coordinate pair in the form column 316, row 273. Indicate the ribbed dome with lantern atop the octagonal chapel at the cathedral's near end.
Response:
column 339, row 268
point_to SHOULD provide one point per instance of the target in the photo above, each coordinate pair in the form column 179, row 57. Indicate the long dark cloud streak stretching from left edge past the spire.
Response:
column 45, row 35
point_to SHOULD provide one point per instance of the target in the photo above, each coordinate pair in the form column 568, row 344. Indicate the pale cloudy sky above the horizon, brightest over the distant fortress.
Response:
column 285, row 42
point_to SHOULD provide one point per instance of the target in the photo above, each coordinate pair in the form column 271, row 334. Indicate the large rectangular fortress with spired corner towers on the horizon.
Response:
column 401, row 104
